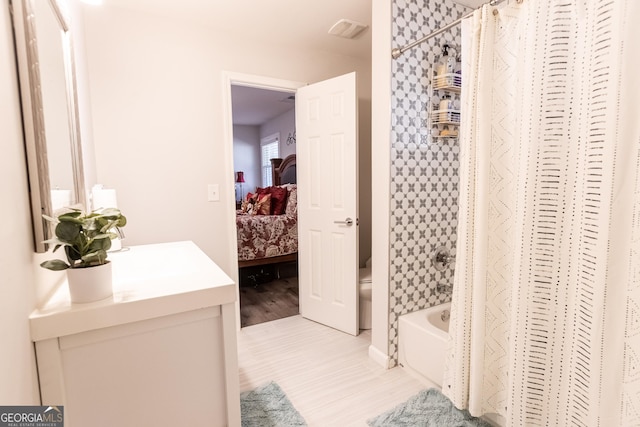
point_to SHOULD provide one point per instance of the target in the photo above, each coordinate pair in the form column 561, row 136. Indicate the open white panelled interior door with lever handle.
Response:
column 327, row 147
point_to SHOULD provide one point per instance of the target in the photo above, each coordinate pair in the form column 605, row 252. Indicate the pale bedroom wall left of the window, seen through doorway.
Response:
column 246, row 155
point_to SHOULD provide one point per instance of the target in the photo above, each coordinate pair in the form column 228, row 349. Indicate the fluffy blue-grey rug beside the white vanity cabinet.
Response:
column 268, row 406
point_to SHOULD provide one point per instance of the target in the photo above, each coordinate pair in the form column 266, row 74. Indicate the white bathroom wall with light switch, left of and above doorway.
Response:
column 156, row 92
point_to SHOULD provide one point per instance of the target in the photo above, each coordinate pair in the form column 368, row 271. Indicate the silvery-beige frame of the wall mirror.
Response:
column 33, row 114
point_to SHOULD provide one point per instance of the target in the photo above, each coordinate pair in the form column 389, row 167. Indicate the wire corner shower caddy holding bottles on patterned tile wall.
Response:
column 444, row 123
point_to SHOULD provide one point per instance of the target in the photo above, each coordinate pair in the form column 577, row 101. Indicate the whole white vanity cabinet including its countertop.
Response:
column 161, row 352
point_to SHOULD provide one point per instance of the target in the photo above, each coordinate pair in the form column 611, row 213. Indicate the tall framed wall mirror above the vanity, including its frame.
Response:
column 46, row 71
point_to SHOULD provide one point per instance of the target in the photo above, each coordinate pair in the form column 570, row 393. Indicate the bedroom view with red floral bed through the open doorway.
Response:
column 266, row 220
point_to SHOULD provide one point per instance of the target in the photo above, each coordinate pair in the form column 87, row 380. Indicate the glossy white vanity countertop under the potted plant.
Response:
column 149, row 281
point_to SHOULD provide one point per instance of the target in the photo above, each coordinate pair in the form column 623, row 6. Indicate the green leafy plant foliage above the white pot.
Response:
column 86, row 237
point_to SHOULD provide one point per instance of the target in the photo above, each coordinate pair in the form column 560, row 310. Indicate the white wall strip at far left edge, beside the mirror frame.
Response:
column 18, row 382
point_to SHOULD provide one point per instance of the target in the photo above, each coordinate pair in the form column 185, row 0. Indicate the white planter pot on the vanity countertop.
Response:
column 90, row 284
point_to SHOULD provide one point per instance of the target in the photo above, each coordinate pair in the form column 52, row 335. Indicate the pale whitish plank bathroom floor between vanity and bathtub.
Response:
column 327, row 374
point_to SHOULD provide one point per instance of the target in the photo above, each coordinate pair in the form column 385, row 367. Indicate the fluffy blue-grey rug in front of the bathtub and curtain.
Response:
column 429, row 408
